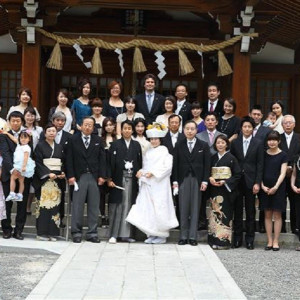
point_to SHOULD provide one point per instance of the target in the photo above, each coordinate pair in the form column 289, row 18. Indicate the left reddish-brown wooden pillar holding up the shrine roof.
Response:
column 31, row 59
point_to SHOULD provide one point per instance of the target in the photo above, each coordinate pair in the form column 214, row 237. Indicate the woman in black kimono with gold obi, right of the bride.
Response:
column 225, row 175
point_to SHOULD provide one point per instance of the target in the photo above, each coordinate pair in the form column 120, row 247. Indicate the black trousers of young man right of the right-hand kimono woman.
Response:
column 245, row 195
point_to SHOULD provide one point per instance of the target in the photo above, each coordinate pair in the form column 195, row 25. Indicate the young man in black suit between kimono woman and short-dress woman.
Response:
column 249, row 153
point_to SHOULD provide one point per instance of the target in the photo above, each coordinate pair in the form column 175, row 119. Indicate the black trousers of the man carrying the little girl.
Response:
column 21, row 207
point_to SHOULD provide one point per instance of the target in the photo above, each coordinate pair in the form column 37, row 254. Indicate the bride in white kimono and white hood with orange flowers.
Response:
column 154, row 212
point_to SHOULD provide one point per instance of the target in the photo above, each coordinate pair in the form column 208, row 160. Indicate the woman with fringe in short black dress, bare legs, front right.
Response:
column 273, row 187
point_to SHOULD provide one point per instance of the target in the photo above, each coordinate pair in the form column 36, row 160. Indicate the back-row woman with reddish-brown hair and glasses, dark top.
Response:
column 114, row 106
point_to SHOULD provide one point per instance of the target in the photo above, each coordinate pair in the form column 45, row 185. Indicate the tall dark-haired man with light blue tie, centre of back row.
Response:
column 150, row 103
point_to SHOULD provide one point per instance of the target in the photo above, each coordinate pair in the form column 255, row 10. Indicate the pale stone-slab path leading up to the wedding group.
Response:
column 136, row 271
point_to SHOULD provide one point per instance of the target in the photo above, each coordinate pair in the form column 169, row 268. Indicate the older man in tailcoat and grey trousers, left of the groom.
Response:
column 86, row 169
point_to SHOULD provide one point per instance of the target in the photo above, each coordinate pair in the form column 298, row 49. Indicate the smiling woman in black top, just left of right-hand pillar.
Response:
column 229, row 123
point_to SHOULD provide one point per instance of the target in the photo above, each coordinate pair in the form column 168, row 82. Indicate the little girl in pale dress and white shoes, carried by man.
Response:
column 22, row 163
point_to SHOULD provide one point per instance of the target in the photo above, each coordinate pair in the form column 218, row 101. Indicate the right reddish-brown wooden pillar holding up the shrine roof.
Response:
column 241, row 81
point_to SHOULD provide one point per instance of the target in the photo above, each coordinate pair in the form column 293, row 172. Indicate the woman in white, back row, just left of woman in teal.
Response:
column 64, row 98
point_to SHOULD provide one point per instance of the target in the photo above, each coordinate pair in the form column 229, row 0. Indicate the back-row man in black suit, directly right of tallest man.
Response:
column 183, row 105
